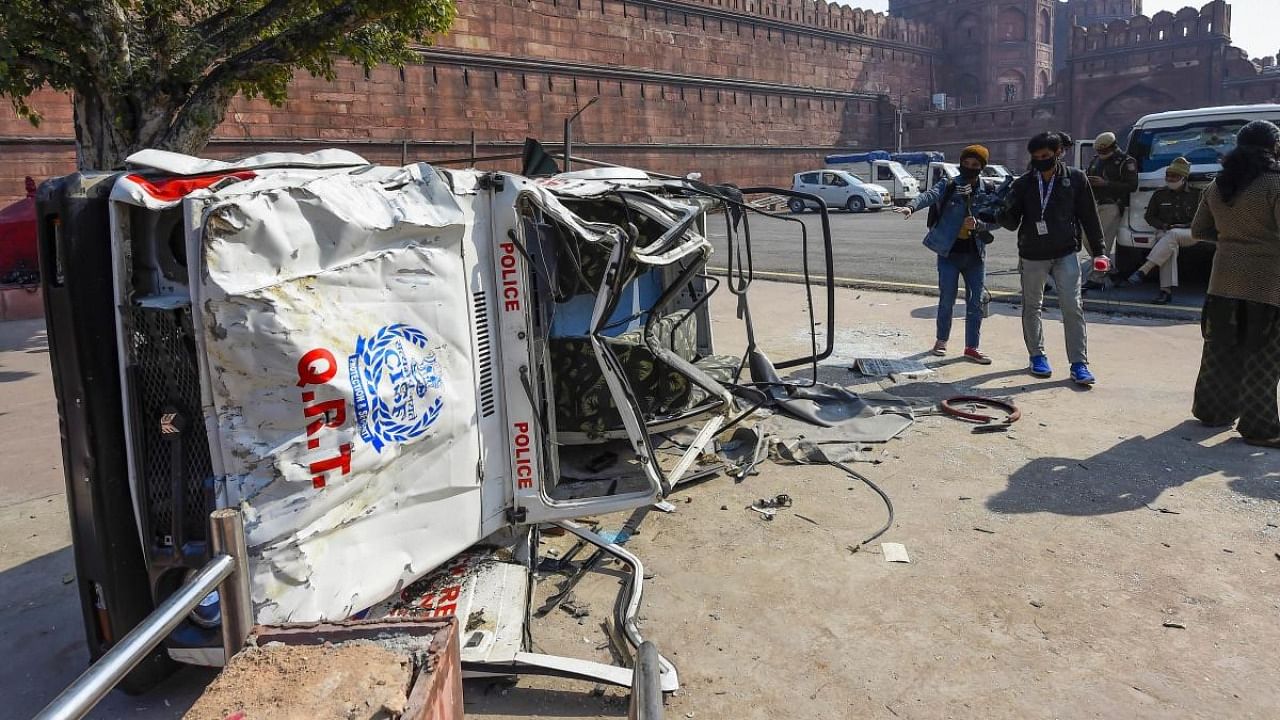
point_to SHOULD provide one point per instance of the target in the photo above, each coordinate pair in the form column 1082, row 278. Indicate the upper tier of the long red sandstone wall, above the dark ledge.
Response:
column 684, row 40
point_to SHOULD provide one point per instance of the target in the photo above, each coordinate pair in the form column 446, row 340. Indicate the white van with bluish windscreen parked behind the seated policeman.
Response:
column 1204, row 136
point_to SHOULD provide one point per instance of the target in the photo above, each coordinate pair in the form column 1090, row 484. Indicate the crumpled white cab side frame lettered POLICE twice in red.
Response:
column 537, row 217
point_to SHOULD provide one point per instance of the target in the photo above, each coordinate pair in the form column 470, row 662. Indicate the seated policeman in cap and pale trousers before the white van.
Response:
column 1171, row 212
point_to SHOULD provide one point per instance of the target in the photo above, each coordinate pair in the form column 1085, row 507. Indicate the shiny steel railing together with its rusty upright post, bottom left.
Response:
column 227, row 573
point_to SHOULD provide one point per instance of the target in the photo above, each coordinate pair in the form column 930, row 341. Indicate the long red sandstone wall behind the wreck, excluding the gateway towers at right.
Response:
column 778, row 75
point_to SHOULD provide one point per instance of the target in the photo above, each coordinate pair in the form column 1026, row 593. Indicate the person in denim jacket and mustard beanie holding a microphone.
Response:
column 961, row 240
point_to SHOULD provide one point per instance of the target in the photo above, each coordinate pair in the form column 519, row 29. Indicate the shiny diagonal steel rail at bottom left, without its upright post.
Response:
column 93, row 686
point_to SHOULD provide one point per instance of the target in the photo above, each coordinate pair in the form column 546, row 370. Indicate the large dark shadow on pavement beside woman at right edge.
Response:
column 1135, row 473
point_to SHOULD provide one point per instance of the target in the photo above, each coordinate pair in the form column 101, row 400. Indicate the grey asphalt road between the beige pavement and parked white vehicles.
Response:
column 886, row 249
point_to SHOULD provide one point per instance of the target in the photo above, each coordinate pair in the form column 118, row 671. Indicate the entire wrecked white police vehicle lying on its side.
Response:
column 399, row 375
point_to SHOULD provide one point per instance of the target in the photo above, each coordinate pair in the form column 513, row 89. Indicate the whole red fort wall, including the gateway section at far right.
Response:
column 742, row 92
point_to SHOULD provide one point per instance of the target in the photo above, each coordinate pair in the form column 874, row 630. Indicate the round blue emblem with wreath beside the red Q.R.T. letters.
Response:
column 396, row 382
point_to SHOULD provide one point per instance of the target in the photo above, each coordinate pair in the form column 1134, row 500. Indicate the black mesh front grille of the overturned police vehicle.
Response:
column 167, row 381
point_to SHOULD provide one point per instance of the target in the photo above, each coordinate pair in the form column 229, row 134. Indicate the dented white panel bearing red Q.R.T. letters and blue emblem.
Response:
column 340, row 356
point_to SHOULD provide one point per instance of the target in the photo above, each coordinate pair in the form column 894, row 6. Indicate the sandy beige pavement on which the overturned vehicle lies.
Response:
column 1104, row 516
